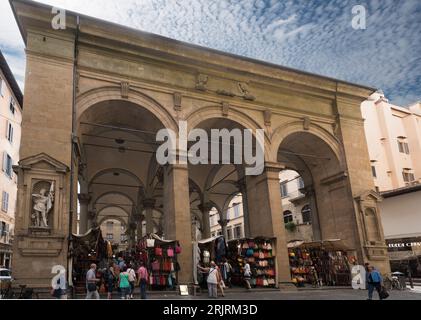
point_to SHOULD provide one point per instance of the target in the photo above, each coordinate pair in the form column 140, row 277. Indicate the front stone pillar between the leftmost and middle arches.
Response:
column 178, row 217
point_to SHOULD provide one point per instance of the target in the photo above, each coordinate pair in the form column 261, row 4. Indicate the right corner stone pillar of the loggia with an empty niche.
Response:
column 362, row 218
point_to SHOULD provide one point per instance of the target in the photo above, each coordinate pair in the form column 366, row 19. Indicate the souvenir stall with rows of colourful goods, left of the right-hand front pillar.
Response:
column 260, row 254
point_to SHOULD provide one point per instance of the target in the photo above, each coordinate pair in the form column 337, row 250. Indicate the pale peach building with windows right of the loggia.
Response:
column 394, row 139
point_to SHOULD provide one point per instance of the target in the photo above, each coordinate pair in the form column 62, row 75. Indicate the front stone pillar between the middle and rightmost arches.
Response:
column 266, row 216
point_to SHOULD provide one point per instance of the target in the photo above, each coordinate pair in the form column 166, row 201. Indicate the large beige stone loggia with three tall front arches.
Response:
column 110, row 90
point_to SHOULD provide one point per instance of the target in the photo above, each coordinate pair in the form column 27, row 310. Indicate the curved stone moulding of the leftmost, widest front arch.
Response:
column 95, row 96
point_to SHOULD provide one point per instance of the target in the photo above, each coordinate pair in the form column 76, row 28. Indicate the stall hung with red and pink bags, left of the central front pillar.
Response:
column 160, row 258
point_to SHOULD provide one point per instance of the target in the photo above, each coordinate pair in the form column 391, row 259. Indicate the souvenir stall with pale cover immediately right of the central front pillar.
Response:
column 205, row 251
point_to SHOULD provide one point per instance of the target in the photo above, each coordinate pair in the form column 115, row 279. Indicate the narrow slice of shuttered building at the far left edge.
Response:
column 10, row 128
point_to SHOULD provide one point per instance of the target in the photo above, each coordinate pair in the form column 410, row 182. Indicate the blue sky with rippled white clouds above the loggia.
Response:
column 316, row 36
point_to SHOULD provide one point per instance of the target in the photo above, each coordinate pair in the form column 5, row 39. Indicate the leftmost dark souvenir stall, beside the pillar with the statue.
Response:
column 84, row 250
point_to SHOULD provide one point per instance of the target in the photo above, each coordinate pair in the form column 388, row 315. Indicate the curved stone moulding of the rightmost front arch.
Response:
column 285, row 130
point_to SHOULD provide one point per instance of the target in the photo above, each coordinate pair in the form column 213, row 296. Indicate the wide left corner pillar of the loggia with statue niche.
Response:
column 45, row 150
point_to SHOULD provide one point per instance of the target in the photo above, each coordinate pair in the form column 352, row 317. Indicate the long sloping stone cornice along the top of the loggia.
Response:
column 30, row 14
